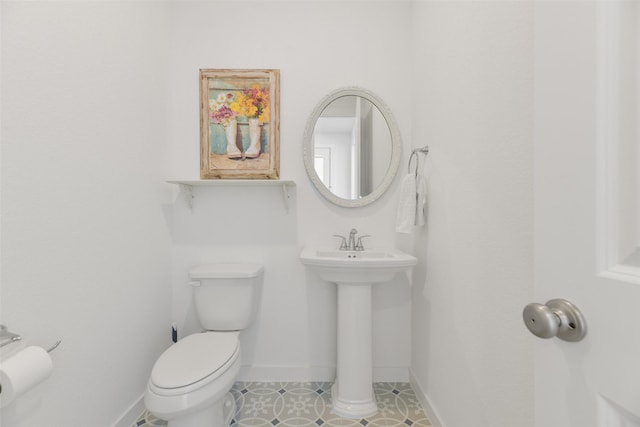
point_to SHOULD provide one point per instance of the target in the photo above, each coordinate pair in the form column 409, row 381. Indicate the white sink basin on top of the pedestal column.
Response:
column 368, row 266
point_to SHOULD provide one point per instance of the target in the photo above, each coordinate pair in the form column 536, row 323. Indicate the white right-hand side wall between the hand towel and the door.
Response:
column 473, row 67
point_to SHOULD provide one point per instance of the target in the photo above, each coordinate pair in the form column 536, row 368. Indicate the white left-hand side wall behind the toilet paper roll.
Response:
column 85, row 245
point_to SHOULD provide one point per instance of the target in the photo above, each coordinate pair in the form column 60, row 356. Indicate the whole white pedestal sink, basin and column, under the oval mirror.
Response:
column 354, row 272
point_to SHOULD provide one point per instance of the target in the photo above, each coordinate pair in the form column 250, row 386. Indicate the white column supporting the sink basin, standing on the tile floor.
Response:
column 352, row 394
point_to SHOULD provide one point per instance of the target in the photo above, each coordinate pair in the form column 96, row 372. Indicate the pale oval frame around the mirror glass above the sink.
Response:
column 396, row 149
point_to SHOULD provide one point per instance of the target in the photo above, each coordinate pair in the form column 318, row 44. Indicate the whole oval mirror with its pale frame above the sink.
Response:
column 351, row 147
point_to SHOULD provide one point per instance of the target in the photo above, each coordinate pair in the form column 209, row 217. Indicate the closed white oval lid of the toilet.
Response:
column 194, row 358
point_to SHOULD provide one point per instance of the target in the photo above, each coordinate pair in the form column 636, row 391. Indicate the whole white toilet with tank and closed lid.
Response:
column 190, row 382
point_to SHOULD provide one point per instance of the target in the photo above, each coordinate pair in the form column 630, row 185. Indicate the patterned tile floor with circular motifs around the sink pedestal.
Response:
column 285, row 404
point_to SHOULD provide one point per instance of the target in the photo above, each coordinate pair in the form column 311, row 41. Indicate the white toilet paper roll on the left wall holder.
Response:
column 23, row 371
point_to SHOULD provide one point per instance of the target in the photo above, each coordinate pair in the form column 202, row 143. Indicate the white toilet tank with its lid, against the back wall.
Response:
column 226, row 295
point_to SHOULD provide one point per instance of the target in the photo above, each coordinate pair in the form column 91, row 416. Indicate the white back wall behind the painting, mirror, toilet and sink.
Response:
column 313, row 45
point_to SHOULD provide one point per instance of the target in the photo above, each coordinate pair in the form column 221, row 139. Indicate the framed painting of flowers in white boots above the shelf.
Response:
column 239, row 124
